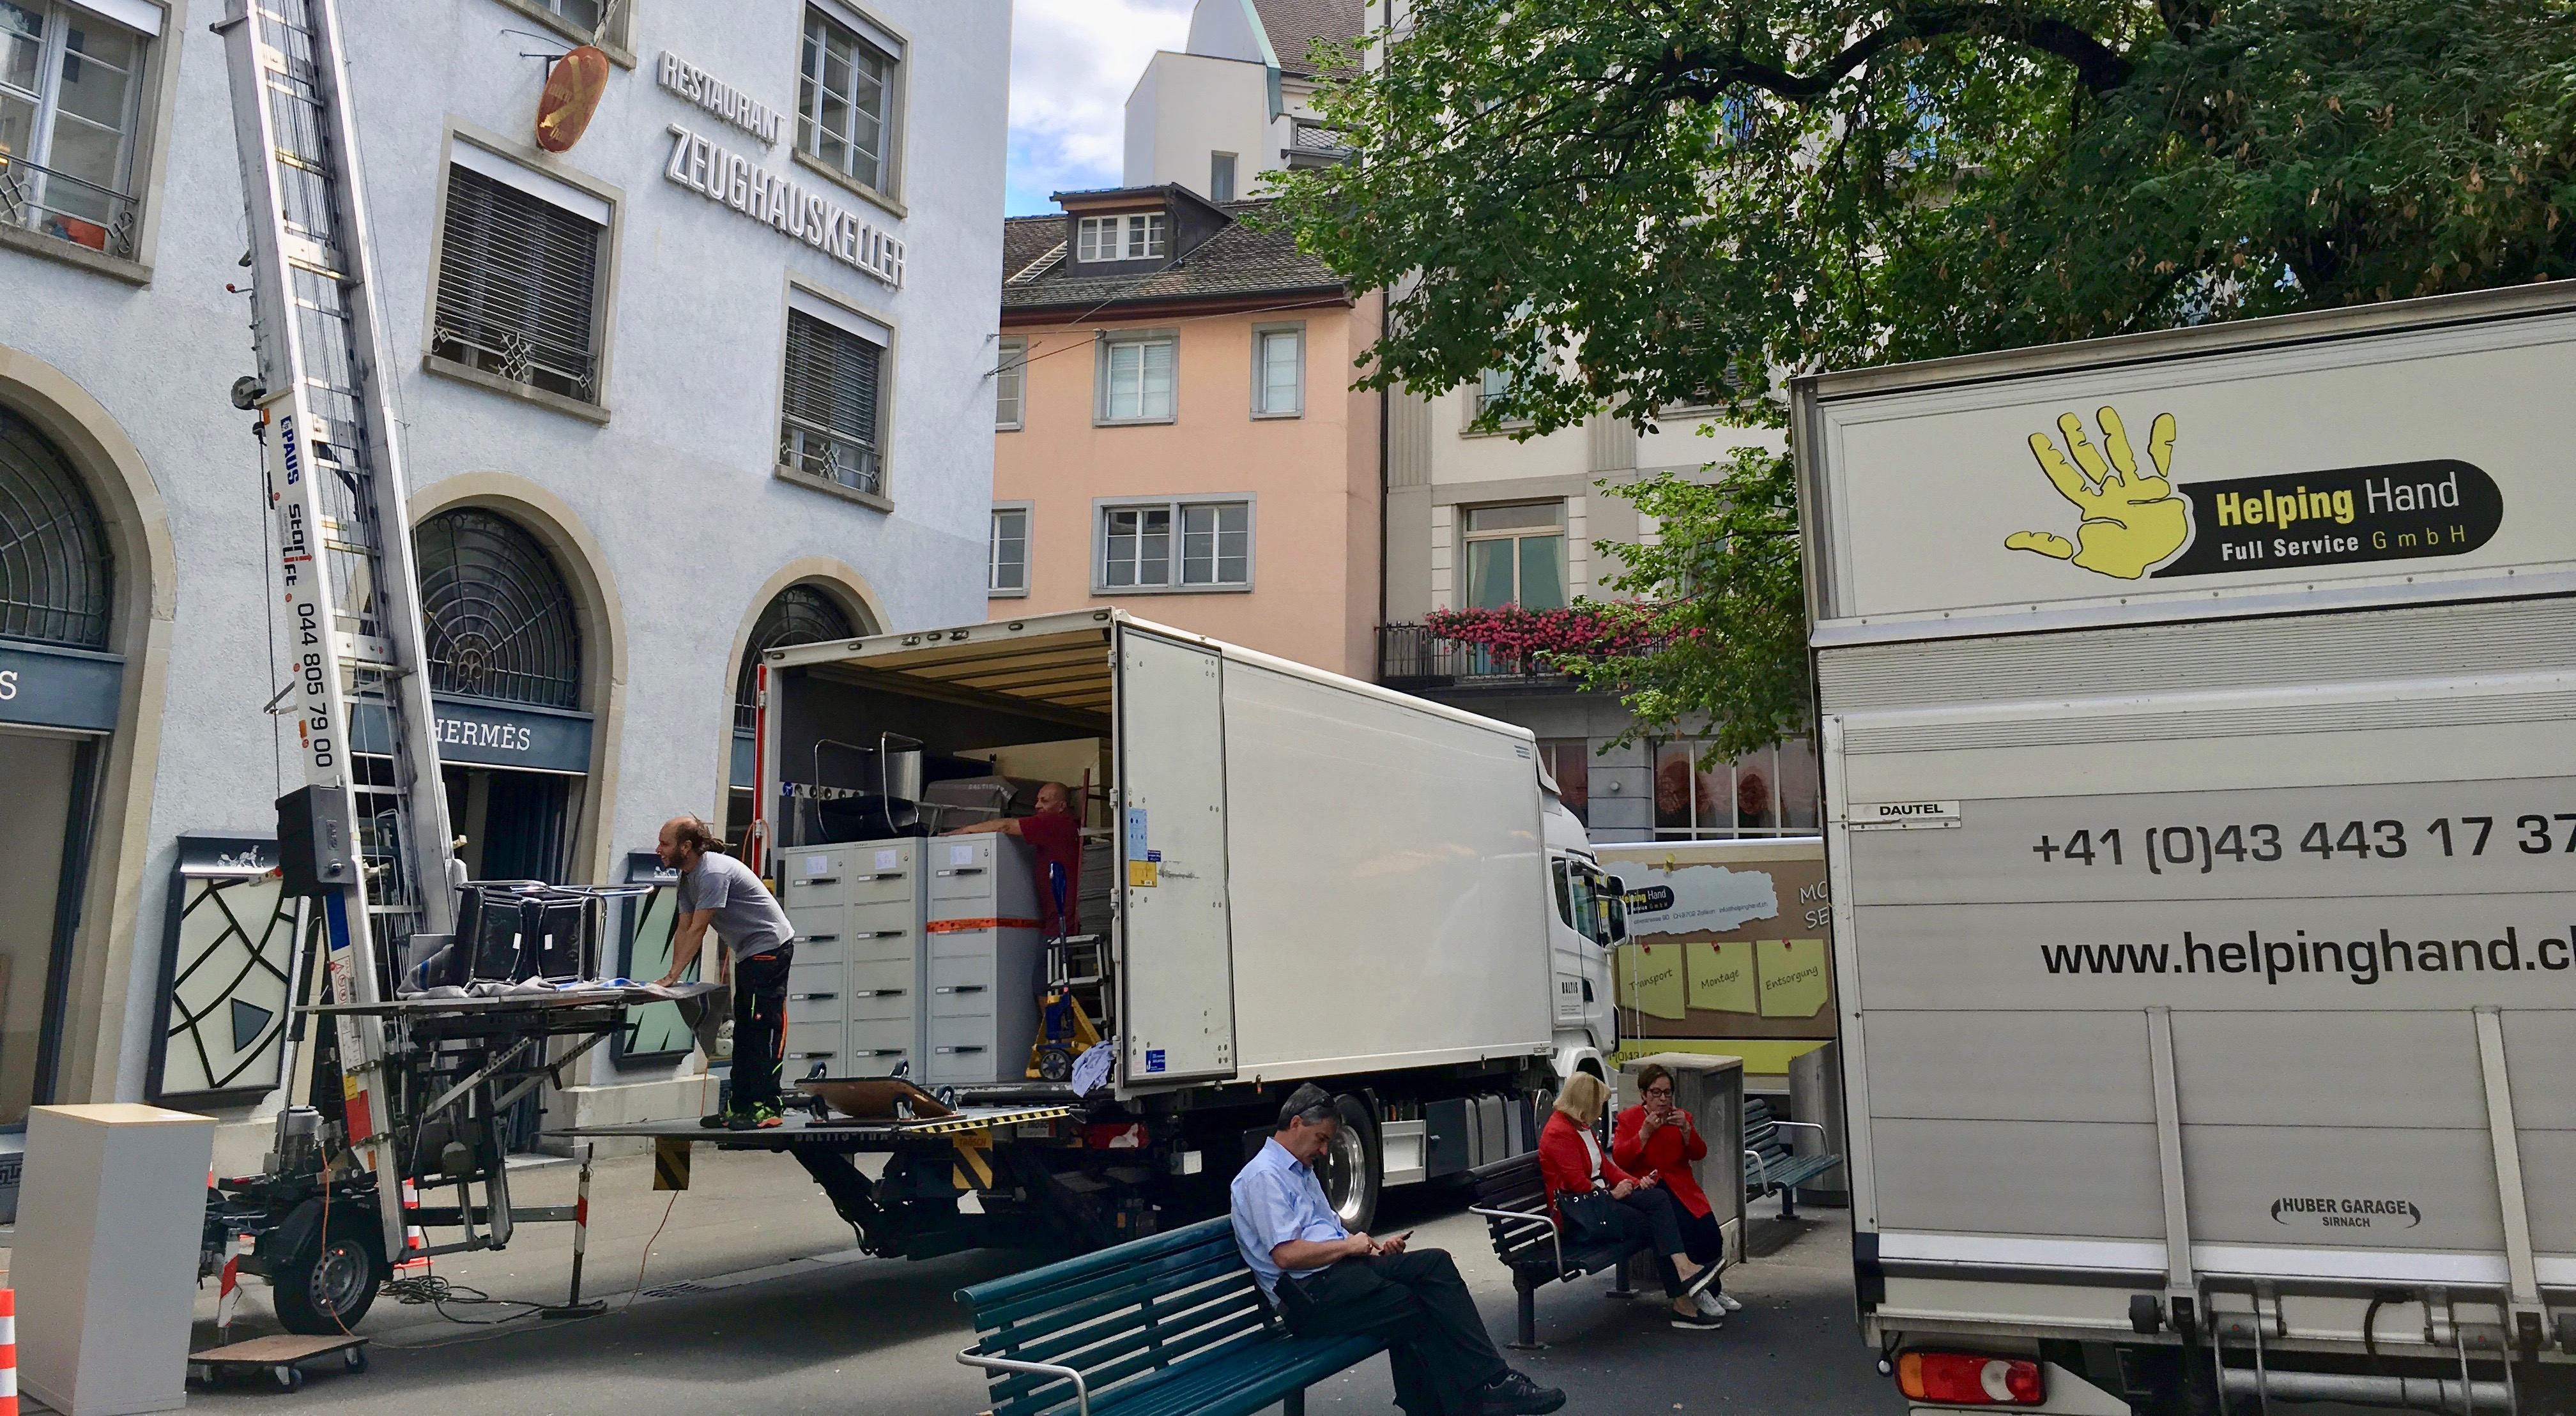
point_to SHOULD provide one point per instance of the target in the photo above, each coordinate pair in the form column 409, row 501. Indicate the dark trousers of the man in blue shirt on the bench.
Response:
column 1421, row 1307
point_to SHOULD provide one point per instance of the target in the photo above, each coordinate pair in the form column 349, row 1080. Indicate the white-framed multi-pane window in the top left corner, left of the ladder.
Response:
column 37, row 166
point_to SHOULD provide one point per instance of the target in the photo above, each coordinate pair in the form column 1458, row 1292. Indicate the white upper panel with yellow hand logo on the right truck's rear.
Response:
column 2405, row 465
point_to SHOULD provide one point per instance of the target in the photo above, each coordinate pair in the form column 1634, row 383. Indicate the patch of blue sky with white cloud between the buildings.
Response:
column 1073, row 66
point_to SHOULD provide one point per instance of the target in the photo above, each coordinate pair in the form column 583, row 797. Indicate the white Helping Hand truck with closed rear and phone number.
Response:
column 2199, row 722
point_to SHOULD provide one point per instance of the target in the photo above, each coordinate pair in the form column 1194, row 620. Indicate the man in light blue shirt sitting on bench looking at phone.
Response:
column 1333, row 1283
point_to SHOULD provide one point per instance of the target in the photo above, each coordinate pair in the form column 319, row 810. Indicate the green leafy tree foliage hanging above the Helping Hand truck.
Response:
column 1632, row 205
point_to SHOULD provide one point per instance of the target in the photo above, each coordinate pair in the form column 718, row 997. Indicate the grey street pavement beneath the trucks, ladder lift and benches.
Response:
column 756, row 1301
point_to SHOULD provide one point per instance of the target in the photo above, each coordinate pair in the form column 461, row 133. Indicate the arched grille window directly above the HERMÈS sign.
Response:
column 501, row 619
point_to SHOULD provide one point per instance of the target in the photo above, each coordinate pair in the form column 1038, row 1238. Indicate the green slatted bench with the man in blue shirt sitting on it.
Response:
column 1158, row 1327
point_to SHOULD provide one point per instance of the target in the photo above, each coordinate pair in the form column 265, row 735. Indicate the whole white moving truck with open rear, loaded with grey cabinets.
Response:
column 1310, row 879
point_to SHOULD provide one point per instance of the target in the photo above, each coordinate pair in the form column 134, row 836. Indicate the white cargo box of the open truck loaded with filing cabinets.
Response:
column 1312, row 877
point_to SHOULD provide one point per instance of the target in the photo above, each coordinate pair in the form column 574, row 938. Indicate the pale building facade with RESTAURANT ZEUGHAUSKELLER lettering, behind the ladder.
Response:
column 648, row 431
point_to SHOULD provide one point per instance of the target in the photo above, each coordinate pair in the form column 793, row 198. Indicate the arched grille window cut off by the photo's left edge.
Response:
column 55, row 568
